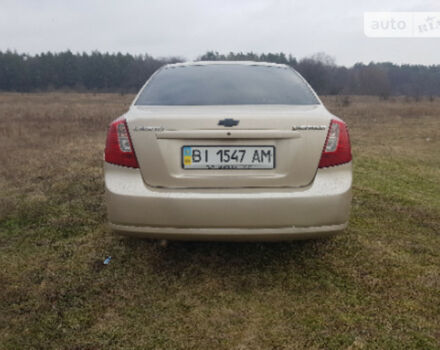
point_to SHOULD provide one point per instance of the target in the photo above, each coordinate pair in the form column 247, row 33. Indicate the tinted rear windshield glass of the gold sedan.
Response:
column 226, row 84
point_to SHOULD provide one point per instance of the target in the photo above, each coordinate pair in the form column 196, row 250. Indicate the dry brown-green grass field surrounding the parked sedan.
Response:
column 377, row 285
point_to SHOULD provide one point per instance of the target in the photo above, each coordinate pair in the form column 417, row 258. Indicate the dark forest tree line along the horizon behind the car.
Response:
column 126, row 73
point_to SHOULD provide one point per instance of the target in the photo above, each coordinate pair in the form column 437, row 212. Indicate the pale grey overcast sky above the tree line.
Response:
column 189, row 28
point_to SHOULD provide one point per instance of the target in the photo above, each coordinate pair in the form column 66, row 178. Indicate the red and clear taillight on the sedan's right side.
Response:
column 337, row 149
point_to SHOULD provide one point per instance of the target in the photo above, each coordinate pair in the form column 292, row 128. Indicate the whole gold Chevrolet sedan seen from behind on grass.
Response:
column 228, row 151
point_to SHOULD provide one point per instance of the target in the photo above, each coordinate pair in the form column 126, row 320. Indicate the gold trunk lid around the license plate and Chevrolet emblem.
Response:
column 159, row 133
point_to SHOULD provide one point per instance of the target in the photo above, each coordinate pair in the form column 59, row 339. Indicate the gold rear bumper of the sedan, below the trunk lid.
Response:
column 228, row 214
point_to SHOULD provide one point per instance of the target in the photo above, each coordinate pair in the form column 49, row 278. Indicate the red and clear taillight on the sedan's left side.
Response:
column 119, row 149
